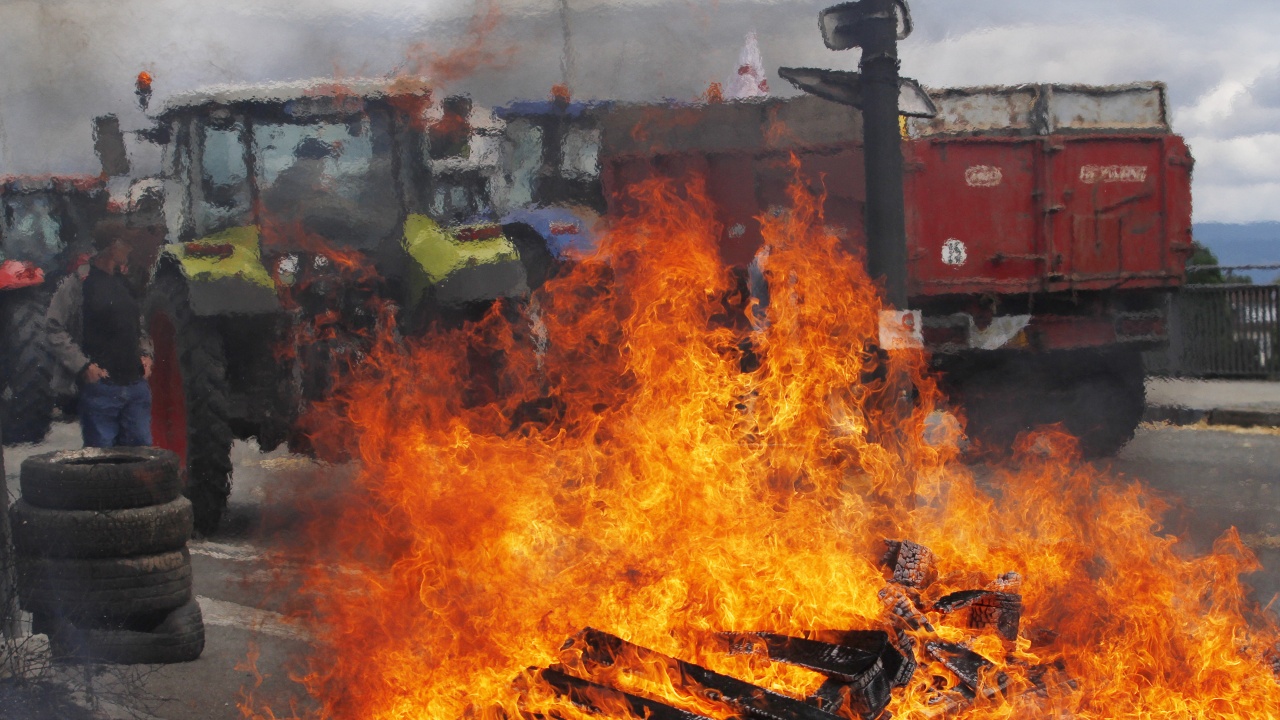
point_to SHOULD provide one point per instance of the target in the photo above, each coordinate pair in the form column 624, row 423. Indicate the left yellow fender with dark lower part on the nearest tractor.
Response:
column 225, row 274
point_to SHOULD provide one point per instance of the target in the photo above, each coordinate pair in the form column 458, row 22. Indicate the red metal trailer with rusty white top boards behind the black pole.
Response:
column 1046, row 227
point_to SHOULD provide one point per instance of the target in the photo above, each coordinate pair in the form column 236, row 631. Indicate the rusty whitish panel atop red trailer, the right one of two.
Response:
column 1099, row 110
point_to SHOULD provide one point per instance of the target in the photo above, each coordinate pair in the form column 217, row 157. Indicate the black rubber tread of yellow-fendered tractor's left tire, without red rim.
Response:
column 203, row 364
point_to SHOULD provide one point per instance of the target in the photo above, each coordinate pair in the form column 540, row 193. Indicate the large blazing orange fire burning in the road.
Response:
column 598, row 458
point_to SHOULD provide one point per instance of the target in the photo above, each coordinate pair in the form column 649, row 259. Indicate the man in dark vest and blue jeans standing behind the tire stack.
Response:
column 98, row 338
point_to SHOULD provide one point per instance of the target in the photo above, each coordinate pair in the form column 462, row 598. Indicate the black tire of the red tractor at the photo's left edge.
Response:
column 28, row 367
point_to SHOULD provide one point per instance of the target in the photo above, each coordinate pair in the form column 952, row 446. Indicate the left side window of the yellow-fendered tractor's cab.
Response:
column 223, row 180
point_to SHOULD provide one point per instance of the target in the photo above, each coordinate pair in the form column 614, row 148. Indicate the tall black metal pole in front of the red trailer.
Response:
column 883, row 148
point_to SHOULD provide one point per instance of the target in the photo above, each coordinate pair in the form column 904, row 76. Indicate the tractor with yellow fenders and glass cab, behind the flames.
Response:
column 299, row 218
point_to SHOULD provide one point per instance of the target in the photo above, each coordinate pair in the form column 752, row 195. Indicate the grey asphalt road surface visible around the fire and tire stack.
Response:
column 1217, row 480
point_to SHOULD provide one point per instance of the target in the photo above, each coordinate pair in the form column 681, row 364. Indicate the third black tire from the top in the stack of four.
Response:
column 104, row 590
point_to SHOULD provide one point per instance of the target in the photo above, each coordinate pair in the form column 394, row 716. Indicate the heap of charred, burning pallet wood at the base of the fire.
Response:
column 862, row 668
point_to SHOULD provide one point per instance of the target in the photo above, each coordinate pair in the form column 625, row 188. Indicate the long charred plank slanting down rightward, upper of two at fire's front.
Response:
column 604, row 651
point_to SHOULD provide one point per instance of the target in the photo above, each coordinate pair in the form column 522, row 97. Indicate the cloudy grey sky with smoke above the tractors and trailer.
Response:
column 67, row 61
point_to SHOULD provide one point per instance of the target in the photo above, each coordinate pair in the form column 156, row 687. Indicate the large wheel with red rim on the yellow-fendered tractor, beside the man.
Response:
column 190, row 398
